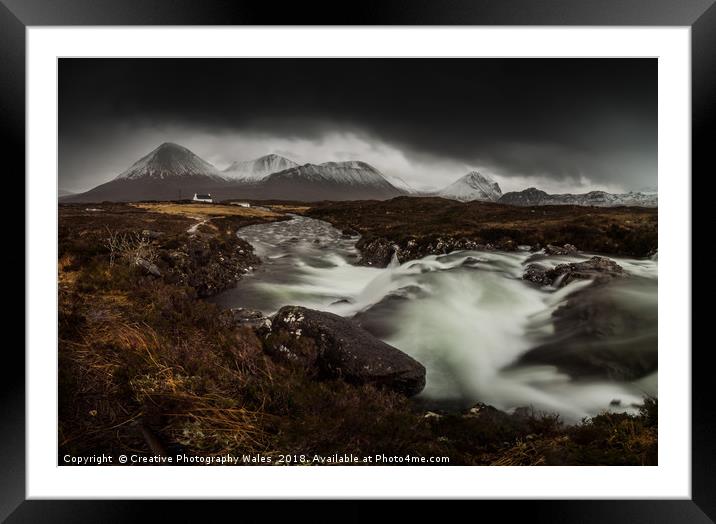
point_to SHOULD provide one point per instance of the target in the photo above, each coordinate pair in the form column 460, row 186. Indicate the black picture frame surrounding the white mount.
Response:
column 699, row 15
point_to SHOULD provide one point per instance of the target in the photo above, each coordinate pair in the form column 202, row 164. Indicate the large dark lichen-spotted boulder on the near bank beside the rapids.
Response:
column 327, row 345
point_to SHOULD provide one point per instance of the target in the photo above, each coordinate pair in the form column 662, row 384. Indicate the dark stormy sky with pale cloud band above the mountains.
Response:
column 562, row 125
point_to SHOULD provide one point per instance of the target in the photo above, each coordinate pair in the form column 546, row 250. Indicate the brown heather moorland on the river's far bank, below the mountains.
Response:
column 415, row 227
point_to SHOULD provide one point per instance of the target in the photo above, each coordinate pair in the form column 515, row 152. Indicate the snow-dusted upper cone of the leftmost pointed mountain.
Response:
column 170, row 160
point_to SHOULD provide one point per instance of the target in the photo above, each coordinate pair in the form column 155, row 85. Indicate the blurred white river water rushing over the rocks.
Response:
column 467, row 316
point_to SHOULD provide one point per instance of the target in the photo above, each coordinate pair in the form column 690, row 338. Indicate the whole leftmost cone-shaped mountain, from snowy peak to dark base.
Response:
column 170, row 172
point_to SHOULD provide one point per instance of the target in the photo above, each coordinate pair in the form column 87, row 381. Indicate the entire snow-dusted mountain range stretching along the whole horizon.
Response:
column 173, row 172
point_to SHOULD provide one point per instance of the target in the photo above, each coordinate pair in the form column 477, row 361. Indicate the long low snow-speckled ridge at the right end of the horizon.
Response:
column 535, row 197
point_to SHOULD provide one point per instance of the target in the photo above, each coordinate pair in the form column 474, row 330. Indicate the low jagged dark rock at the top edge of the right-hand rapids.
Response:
column 598, row 269
